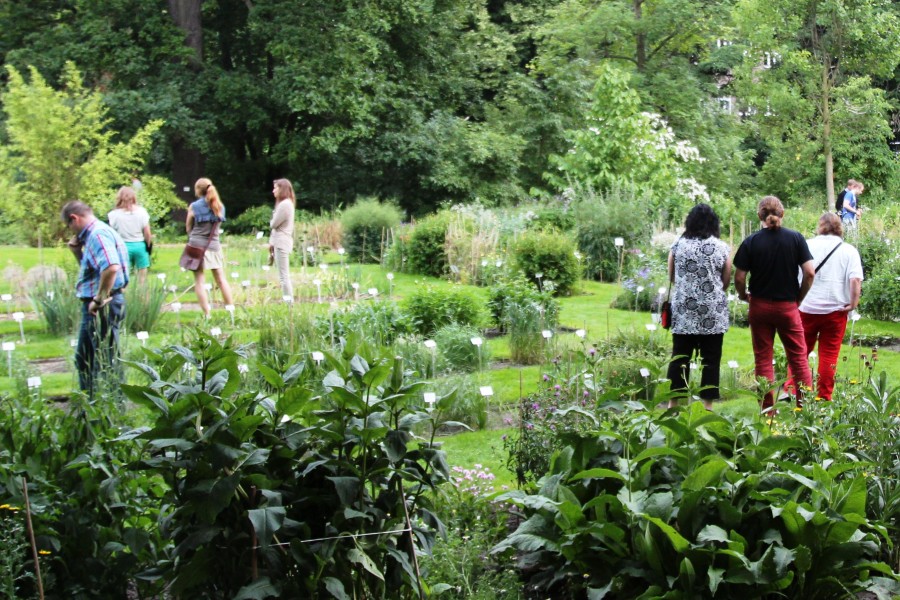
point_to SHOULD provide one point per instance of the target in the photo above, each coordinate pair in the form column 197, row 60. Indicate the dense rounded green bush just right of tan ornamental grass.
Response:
column 550, row 254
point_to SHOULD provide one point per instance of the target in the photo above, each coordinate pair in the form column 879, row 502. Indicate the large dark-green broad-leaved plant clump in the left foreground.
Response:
column 289, row 494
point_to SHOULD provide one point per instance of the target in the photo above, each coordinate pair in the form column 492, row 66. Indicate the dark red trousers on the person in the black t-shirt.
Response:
column 768, row 317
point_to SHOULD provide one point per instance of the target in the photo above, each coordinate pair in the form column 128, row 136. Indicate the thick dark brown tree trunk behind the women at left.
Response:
column 187, row 162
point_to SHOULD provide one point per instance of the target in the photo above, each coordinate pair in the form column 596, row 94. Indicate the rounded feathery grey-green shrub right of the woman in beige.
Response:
column 366, row 226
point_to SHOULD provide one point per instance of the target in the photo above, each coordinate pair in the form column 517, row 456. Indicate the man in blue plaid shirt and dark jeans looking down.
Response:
column 101, row 282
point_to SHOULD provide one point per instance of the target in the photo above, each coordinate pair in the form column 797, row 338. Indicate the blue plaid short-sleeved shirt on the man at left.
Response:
column 103, row 247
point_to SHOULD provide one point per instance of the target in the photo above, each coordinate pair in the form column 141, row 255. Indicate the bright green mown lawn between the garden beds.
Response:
column 588, row 310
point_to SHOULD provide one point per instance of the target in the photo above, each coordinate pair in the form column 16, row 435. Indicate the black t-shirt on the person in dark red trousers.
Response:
column 772, row 257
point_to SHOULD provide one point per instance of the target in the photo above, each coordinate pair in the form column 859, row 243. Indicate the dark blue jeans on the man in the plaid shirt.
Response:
column 98, row 342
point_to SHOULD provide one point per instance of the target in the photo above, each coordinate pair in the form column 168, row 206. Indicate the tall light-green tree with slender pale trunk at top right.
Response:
column 807, row 82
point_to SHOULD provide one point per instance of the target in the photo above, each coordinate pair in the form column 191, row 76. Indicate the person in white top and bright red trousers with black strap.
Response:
column 834, row 293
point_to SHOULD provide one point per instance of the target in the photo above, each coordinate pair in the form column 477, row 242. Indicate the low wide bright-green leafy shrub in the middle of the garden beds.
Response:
column 430, row 308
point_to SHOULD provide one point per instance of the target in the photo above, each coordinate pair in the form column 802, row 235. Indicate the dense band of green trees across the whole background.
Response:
column 461, row 100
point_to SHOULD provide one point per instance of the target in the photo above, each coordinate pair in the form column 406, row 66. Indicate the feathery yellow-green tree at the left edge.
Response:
column 61, row 148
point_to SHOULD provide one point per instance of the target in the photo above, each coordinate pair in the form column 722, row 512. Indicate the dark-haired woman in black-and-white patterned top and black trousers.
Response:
column 700, row 272
